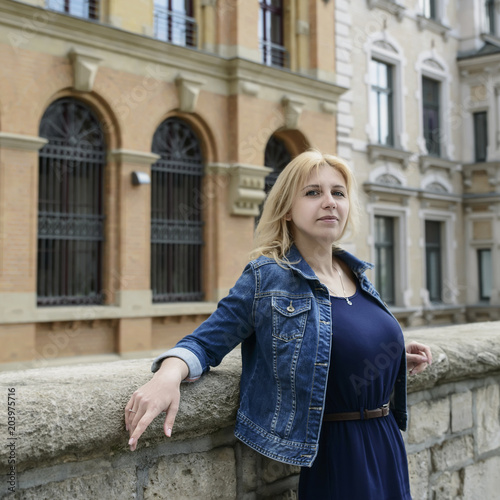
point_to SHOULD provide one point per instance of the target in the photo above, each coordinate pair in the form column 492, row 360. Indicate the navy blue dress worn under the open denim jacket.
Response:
column 360, row 459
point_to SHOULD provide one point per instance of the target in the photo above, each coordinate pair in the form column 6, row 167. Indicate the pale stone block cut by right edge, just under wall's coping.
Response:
column 487, row 420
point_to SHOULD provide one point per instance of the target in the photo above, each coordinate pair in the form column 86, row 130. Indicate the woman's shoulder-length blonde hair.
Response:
column 273, row 236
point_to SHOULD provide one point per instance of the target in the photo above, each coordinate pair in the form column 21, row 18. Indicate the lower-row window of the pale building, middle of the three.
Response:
column 433, row 260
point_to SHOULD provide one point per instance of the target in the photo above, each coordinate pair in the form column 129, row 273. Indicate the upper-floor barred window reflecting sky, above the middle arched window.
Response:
column 174, row 22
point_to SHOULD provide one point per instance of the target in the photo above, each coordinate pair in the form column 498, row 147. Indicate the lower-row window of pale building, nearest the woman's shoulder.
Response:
column 384, row 258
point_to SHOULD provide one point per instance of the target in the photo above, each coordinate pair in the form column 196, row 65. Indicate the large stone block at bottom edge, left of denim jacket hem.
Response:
column 210, row 475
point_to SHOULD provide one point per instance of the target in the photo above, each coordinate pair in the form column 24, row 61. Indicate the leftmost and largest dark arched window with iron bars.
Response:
column 70, row 206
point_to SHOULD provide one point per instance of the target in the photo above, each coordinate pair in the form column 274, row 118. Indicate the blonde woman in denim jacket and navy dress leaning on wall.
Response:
column 322, row 357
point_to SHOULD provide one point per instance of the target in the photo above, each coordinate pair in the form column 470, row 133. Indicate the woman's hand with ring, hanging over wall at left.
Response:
column 161, row 393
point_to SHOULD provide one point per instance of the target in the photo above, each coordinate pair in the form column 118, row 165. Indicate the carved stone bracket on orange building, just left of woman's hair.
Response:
column 246, row 189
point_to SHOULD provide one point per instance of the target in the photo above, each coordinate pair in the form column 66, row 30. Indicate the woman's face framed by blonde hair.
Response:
column 321, row 208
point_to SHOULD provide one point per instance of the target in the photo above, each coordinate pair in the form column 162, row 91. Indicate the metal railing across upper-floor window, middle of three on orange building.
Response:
column 175, row 27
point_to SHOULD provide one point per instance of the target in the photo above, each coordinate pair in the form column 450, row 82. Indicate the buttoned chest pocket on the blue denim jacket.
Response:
column 289, row 317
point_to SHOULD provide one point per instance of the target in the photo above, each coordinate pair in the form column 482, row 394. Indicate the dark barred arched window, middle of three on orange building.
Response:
column 176, row 214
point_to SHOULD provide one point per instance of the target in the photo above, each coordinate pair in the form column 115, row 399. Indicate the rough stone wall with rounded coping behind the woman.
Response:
column 69, row 439
